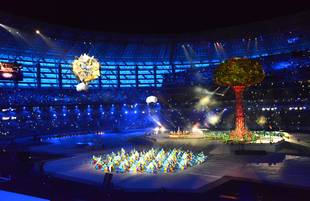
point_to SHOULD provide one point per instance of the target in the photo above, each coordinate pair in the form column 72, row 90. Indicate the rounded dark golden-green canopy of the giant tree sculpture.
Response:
column 238, row 72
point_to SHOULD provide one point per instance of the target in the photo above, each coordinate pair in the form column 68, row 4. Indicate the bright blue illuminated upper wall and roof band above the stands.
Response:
column 134, row 60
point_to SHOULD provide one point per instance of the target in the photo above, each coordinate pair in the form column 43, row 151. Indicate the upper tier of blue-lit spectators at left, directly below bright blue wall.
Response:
column 37, row 97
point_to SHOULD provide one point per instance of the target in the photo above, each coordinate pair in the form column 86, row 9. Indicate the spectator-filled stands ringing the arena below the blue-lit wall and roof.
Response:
column 280, row 101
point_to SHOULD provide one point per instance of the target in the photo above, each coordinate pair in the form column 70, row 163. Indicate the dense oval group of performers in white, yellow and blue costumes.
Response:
column 150, row 161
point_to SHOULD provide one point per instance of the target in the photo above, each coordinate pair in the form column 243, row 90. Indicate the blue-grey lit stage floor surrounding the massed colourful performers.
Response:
column 288, row 165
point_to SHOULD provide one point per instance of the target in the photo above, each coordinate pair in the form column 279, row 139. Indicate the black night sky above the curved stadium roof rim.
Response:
column 150, row 16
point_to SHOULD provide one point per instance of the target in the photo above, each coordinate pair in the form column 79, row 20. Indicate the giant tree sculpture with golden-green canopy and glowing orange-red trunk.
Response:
column 239, row 73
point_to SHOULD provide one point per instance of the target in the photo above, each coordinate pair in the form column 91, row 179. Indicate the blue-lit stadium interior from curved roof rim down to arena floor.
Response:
column 47, row 126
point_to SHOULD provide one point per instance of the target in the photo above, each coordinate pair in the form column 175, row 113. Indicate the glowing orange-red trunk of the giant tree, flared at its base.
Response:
column 240, row 130
